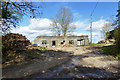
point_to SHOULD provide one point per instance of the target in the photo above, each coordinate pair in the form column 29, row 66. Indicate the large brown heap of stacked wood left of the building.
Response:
column 14, row 41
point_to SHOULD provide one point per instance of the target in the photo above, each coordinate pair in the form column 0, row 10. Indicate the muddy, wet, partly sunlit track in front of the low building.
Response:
column 70, row 62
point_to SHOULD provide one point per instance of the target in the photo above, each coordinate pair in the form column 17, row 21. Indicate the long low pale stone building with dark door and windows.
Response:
column 55, row 41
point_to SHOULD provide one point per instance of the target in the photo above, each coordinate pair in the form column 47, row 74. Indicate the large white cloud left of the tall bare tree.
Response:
column 35, row 28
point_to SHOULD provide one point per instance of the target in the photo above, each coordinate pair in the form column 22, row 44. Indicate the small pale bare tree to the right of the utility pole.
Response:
column 106, row 30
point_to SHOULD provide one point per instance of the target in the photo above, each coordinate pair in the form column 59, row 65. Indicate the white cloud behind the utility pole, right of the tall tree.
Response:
column 96, row 27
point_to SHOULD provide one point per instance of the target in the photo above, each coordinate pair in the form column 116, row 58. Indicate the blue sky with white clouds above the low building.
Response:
column 81, row 12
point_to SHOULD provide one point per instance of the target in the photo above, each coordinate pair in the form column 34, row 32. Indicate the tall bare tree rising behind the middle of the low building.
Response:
column 62, row 23
